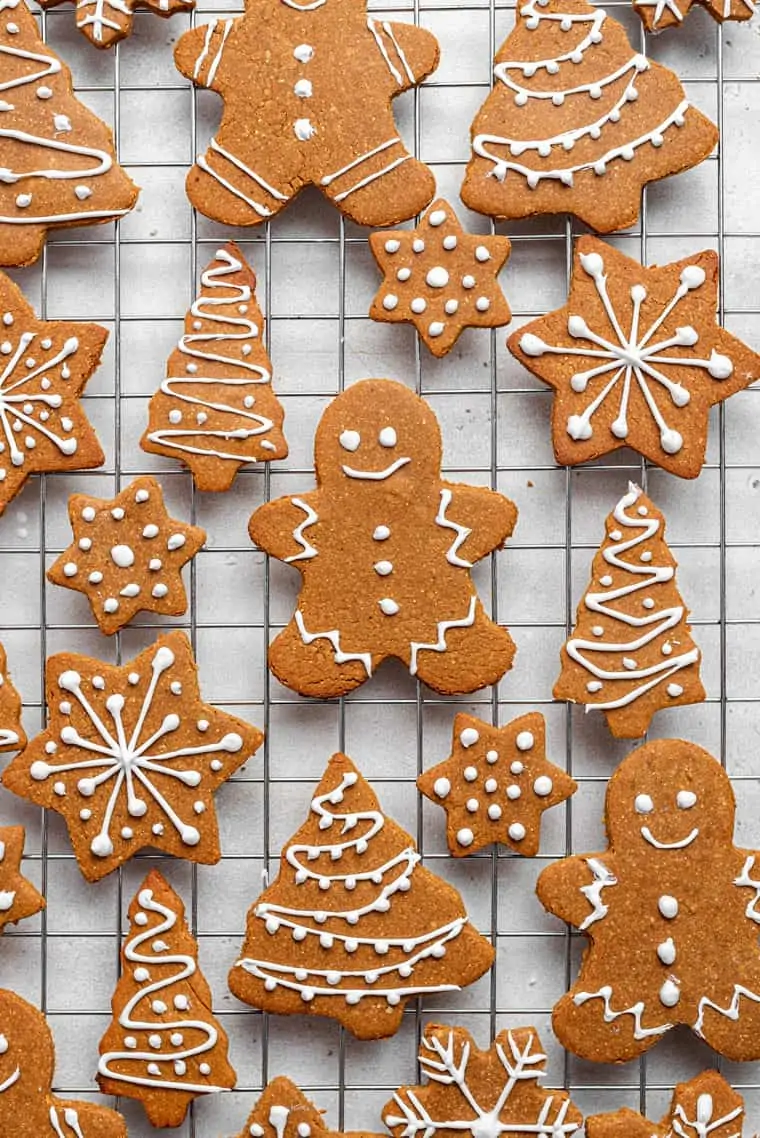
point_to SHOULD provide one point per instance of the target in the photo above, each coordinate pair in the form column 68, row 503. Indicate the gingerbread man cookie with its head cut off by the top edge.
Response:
column 329, row 72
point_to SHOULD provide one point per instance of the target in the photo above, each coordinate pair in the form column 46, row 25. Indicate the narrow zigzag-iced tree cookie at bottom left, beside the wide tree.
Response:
column 164, row 1046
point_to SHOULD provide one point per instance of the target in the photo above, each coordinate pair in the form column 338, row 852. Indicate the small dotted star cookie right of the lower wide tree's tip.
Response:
column 497, row 785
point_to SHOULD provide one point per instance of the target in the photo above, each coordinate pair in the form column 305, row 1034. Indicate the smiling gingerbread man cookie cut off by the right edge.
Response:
column 660, row 906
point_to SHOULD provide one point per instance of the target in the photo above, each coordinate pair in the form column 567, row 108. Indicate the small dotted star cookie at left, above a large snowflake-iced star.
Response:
column 127, row 556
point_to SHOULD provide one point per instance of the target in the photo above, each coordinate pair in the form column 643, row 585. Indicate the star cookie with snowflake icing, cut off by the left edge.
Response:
column 45, row 366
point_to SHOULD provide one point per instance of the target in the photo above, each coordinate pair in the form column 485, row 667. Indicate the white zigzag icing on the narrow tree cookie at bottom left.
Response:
column 130, row 1020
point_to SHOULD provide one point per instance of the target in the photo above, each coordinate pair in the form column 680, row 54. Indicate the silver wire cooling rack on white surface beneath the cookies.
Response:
column 316, row 281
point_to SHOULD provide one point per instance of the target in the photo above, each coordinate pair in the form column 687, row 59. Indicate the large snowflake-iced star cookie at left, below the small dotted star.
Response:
column 133, row 757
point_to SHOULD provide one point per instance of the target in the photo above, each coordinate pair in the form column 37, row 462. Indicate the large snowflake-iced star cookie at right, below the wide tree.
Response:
column 637, row 359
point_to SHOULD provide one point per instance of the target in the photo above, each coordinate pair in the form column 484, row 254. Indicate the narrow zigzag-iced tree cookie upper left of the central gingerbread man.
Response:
column 217, row 409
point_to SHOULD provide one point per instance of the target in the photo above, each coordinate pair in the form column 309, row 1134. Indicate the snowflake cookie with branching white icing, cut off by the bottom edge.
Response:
column 492, row 1093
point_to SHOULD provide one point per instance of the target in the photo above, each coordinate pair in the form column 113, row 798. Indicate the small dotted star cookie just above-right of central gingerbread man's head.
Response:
column 440, row 278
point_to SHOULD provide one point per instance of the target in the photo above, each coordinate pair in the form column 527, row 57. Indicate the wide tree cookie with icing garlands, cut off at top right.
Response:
column 579, row 121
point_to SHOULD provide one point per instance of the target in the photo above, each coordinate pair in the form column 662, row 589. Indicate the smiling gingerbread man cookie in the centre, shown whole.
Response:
column 385, row 548
